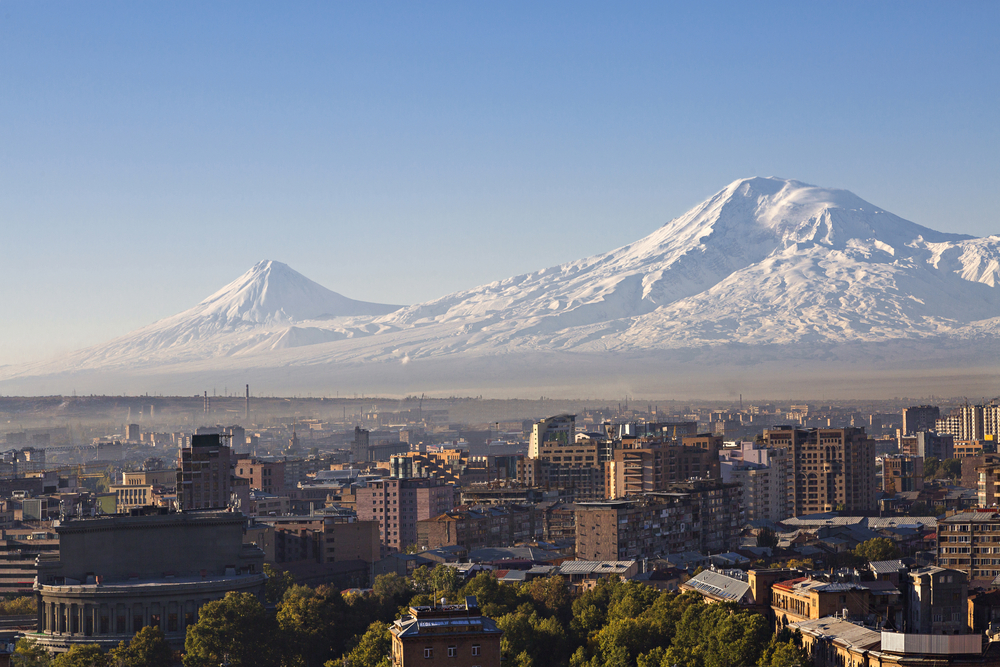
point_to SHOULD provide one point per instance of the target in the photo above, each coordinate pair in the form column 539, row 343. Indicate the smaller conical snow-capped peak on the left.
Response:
column 274, row 292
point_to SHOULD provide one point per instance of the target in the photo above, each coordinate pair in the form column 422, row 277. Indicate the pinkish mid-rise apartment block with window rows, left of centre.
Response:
column 397, row 504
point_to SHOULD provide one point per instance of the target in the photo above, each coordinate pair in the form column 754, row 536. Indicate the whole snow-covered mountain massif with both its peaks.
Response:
column 768, row 268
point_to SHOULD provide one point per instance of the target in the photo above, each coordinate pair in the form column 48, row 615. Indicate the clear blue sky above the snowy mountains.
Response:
column 150, row 152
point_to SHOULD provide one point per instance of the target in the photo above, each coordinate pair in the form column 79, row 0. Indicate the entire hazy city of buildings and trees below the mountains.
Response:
column 833, row 533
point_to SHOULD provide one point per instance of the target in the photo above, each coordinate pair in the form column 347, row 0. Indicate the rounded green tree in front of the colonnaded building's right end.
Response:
column 236, row 629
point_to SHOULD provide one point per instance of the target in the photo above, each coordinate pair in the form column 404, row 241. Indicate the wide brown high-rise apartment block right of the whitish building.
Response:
column 830, row 468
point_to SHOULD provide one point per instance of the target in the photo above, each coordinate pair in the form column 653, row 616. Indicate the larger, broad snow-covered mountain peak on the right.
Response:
column 762, row 244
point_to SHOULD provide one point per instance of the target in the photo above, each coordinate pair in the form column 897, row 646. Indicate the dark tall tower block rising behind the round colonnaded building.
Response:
column 203, row 473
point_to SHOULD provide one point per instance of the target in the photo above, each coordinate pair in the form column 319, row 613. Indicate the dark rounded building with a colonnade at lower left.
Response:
column 115, row 575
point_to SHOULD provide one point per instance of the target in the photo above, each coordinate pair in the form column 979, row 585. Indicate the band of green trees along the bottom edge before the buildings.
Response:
column 615, row 624
